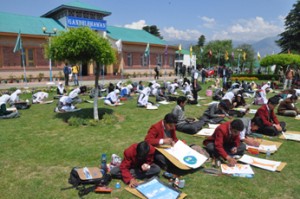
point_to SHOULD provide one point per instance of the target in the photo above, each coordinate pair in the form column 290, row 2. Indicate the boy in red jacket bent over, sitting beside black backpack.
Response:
column 137, row 164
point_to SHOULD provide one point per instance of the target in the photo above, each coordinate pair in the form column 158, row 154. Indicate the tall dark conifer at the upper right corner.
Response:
column 290, row 38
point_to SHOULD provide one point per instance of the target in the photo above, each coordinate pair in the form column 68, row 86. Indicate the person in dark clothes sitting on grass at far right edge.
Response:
column 287, row 107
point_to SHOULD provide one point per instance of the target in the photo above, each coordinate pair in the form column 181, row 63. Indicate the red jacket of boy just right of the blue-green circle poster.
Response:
column 222, row 138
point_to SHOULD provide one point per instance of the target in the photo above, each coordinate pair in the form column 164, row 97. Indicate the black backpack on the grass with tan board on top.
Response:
column 80, row 177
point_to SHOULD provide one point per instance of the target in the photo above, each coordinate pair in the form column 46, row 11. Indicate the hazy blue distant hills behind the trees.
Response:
column 266, row 46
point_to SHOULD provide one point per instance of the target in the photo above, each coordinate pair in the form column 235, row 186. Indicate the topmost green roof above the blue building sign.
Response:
column 78, row 6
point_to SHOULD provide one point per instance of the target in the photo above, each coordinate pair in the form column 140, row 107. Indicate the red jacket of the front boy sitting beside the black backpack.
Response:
column 130, row 161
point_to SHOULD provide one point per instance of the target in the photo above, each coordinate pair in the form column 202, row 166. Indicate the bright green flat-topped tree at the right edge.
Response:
column 281, row 60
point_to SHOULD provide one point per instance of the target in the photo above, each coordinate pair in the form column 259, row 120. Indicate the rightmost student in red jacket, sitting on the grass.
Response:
column 271, row 126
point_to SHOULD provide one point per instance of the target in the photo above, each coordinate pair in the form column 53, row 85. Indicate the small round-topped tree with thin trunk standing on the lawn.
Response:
column 83, row 45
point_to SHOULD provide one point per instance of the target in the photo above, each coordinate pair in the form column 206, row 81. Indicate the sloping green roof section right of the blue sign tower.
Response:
column 133, row 35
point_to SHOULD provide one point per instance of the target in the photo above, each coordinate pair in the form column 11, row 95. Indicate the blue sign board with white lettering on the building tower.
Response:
column 94, row 24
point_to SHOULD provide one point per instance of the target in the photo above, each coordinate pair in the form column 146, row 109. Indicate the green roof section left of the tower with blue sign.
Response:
column 13, row 23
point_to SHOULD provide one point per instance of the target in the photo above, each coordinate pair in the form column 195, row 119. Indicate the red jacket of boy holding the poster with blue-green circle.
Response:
column 156, row 132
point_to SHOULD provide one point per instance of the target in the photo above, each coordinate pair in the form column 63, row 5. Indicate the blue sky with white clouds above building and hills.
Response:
column 237, row 20
